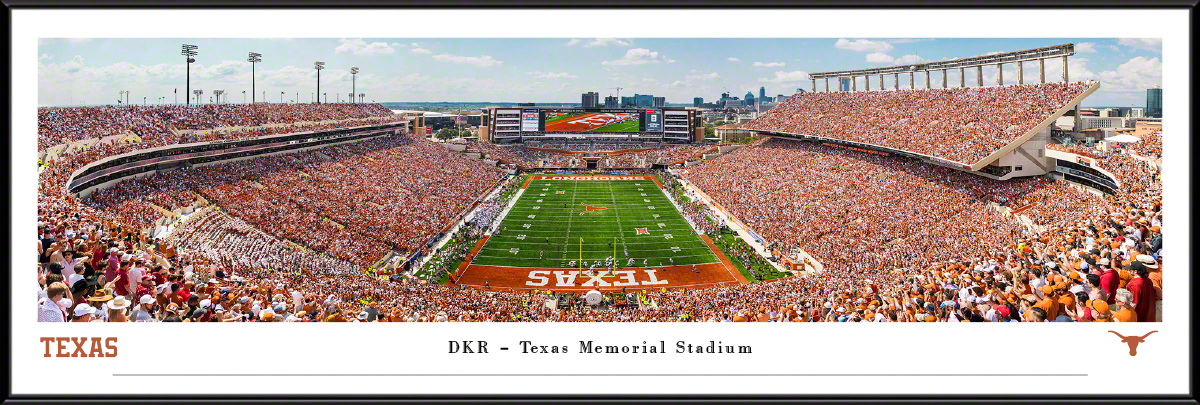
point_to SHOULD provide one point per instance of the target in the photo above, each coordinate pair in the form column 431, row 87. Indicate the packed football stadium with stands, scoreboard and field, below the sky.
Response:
column 896, row 204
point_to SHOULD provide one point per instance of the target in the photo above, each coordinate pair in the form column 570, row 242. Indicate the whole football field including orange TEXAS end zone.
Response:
column 562, row 226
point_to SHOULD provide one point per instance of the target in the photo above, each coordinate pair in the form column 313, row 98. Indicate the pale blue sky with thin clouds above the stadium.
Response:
column 93, row 71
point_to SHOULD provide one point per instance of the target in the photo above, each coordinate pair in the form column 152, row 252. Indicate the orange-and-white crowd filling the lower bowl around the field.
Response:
column 289, row 239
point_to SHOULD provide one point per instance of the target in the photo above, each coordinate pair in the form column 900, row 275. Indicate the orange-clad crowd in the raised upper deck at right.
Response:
column 959, row 125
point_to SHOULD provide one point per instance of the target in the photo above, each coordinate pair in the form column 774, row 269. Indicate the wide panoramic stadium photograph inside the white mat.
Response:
column 623, row 180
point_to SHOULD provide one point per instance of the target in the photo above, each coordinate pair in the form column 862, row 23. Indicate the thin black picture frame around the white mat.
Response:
column 127, row 400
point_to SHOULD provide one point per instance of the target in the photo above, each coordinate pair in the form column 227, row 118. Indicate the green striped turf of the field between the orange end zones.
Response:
column 627, row 209
